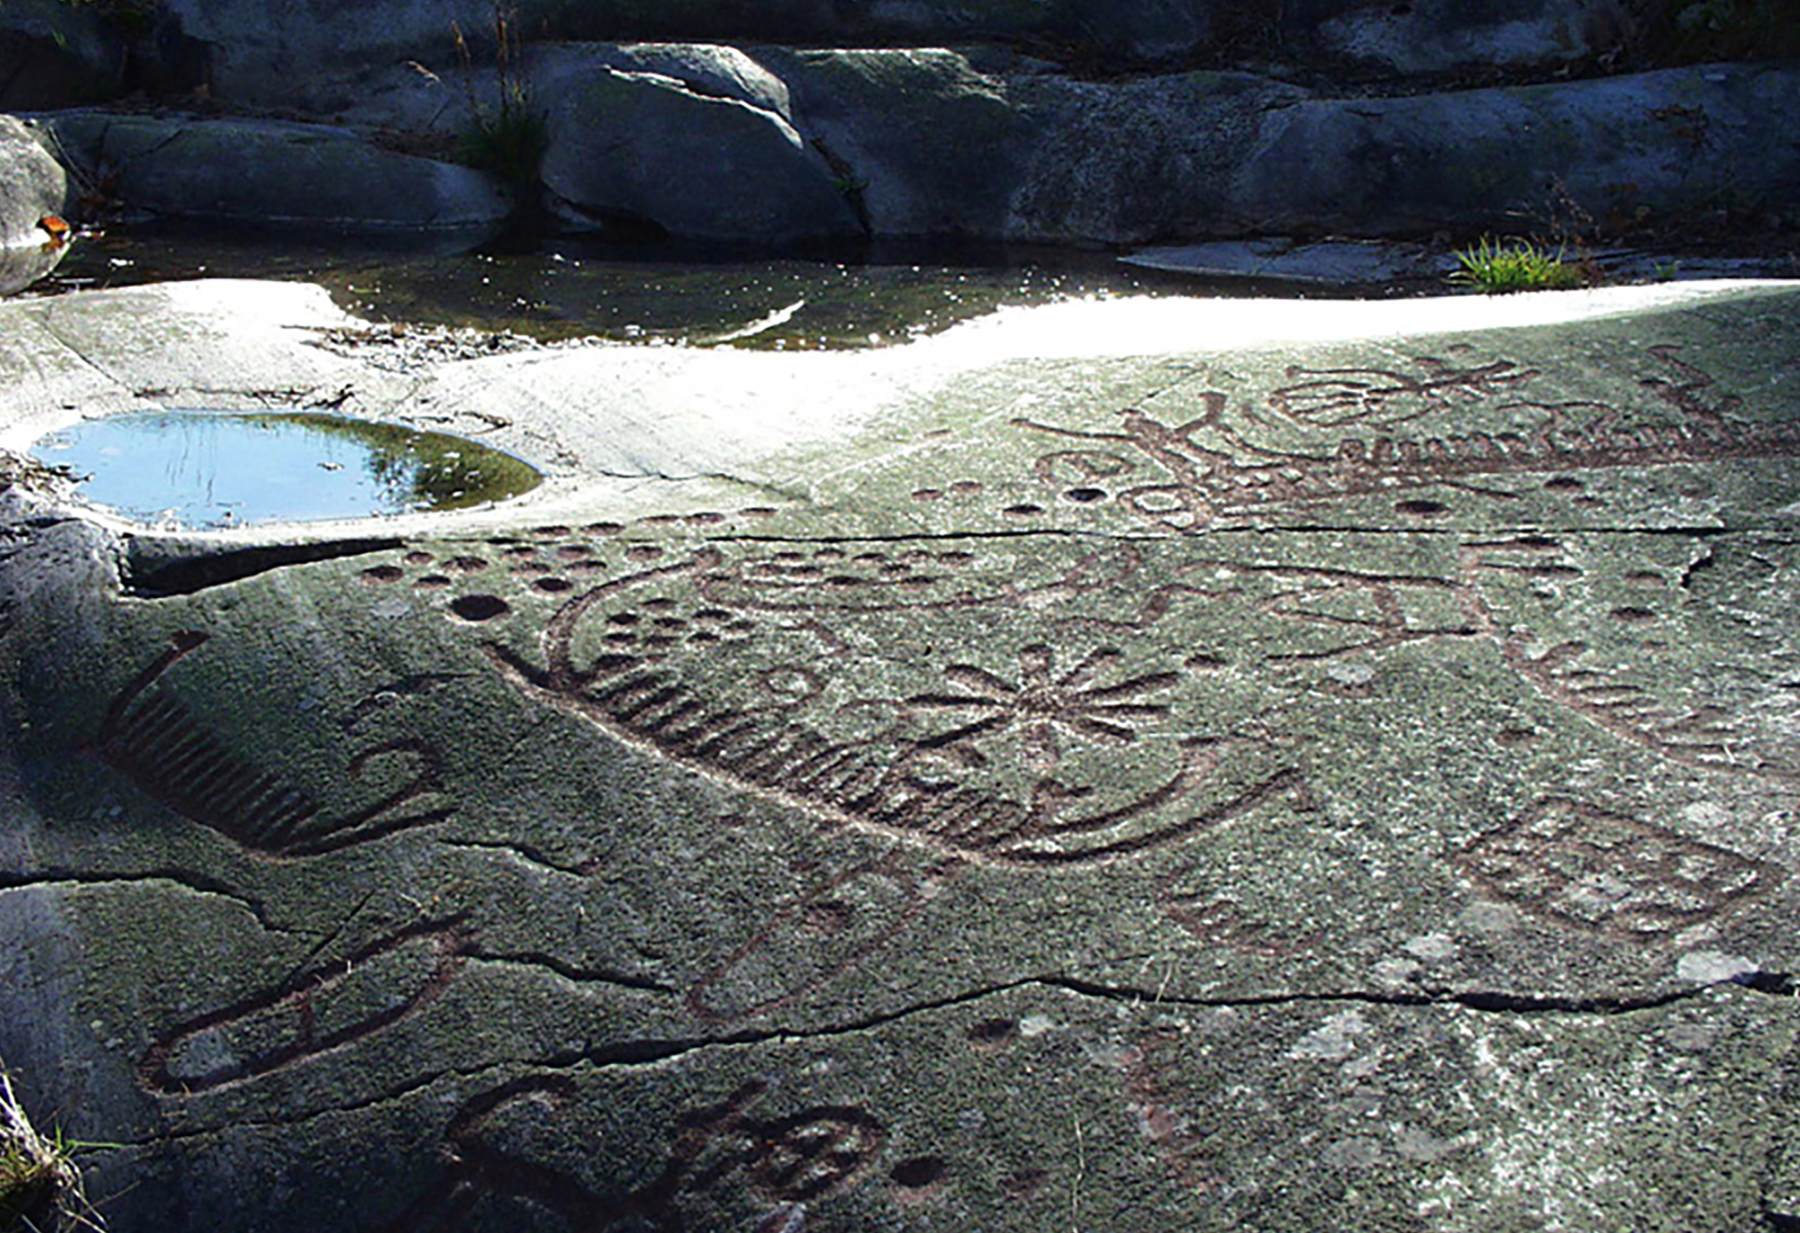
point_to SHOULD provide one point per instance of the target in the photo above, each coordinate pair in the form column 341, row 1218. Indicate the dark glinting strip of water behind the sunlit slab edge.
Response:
column 665, row 292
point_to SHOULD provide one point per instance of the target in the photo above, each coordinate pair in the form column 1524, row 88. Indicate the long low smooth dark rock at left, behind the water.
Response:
column 273, row 174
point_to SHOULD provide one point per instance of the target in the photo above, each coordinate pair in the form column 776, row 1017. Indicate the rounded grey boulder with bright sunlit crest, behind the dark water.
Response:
column 651, row 150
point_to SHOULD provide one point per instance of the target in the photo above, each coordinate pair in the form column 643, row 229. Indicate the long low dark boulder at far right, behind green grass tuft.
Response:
column 1668, row 145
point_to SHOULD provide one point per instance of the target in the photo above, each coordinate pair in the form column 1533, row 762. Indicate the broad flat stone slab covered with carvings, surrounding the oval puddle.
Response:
column 1126, row 766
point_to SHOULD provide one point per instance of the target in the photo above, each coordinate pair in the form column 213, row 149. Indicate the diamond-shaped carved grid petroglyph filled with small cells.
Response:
column 1588, row 868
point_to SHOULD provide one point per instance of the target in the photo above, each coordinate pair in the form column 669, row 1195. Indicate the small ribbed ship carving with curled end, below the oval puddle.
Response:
column 152, row 739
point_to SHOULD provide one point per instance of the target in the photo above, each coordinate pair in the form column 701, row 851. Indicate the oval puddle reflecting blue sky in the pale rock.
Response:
column 210, row 469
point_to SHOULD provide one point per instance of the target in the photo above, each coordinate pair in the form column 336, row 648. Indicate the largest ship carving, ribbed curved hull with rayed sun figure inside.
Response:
column 742, row 667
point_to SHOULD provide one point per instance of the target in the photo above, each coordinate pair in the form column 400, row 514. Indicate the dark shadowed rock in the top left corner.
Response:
column 57, row 55
